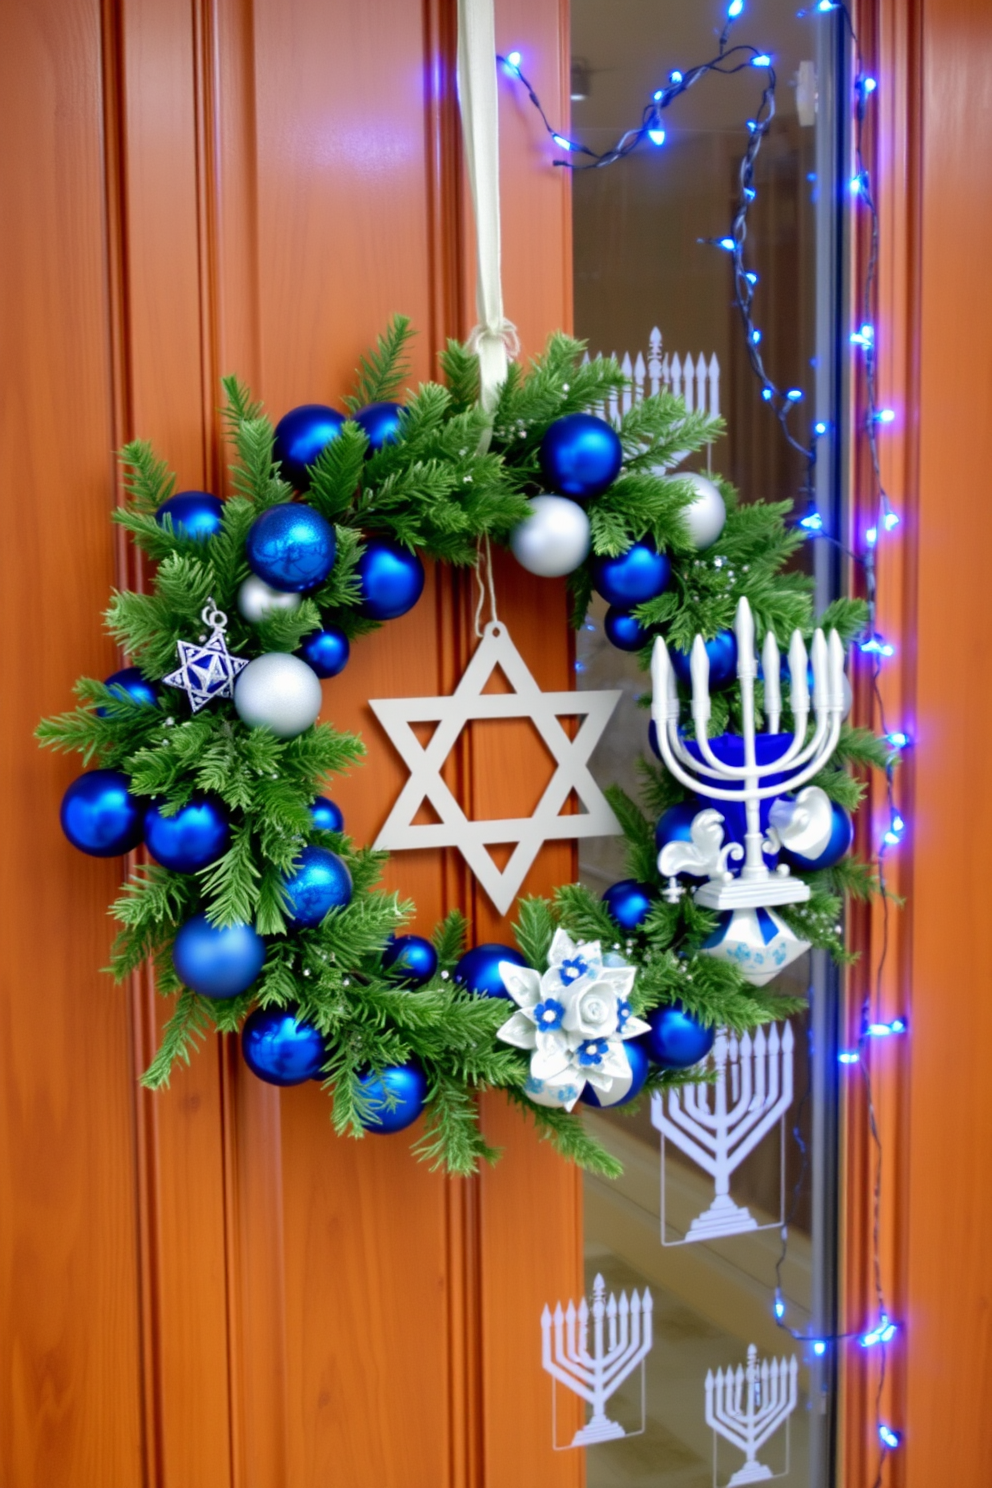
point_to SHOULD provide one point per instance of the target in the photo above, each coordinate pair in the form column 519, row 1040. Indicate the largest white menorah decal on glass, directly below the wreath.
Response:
column 719, row 1126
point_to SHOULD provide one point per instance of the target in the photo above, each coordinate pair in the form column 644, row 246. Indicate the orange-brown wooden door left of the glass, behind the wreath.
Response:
column 206, row 1286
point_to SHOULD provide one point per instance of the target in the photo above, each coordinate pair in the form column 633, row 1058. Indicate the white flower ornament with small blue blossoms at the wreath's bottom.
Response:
column 575, row 1020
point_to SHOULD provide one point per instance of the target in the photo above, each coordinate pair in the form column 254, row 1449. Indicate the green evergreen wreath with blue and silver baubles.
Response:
column 257, row 910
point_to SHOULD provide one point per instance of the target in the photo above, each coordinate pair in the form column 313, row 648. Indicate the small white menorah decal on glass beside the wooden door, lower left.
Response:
column 621, row 1340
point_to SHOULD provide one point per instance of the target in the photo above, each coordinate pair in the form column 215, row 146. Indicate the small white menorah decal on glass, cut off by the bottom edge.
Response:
column 747, row 1407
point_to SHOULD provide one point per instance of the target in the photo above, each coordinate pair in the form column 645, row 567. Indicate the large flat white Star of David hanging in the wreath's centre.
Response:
column 451, row 715
